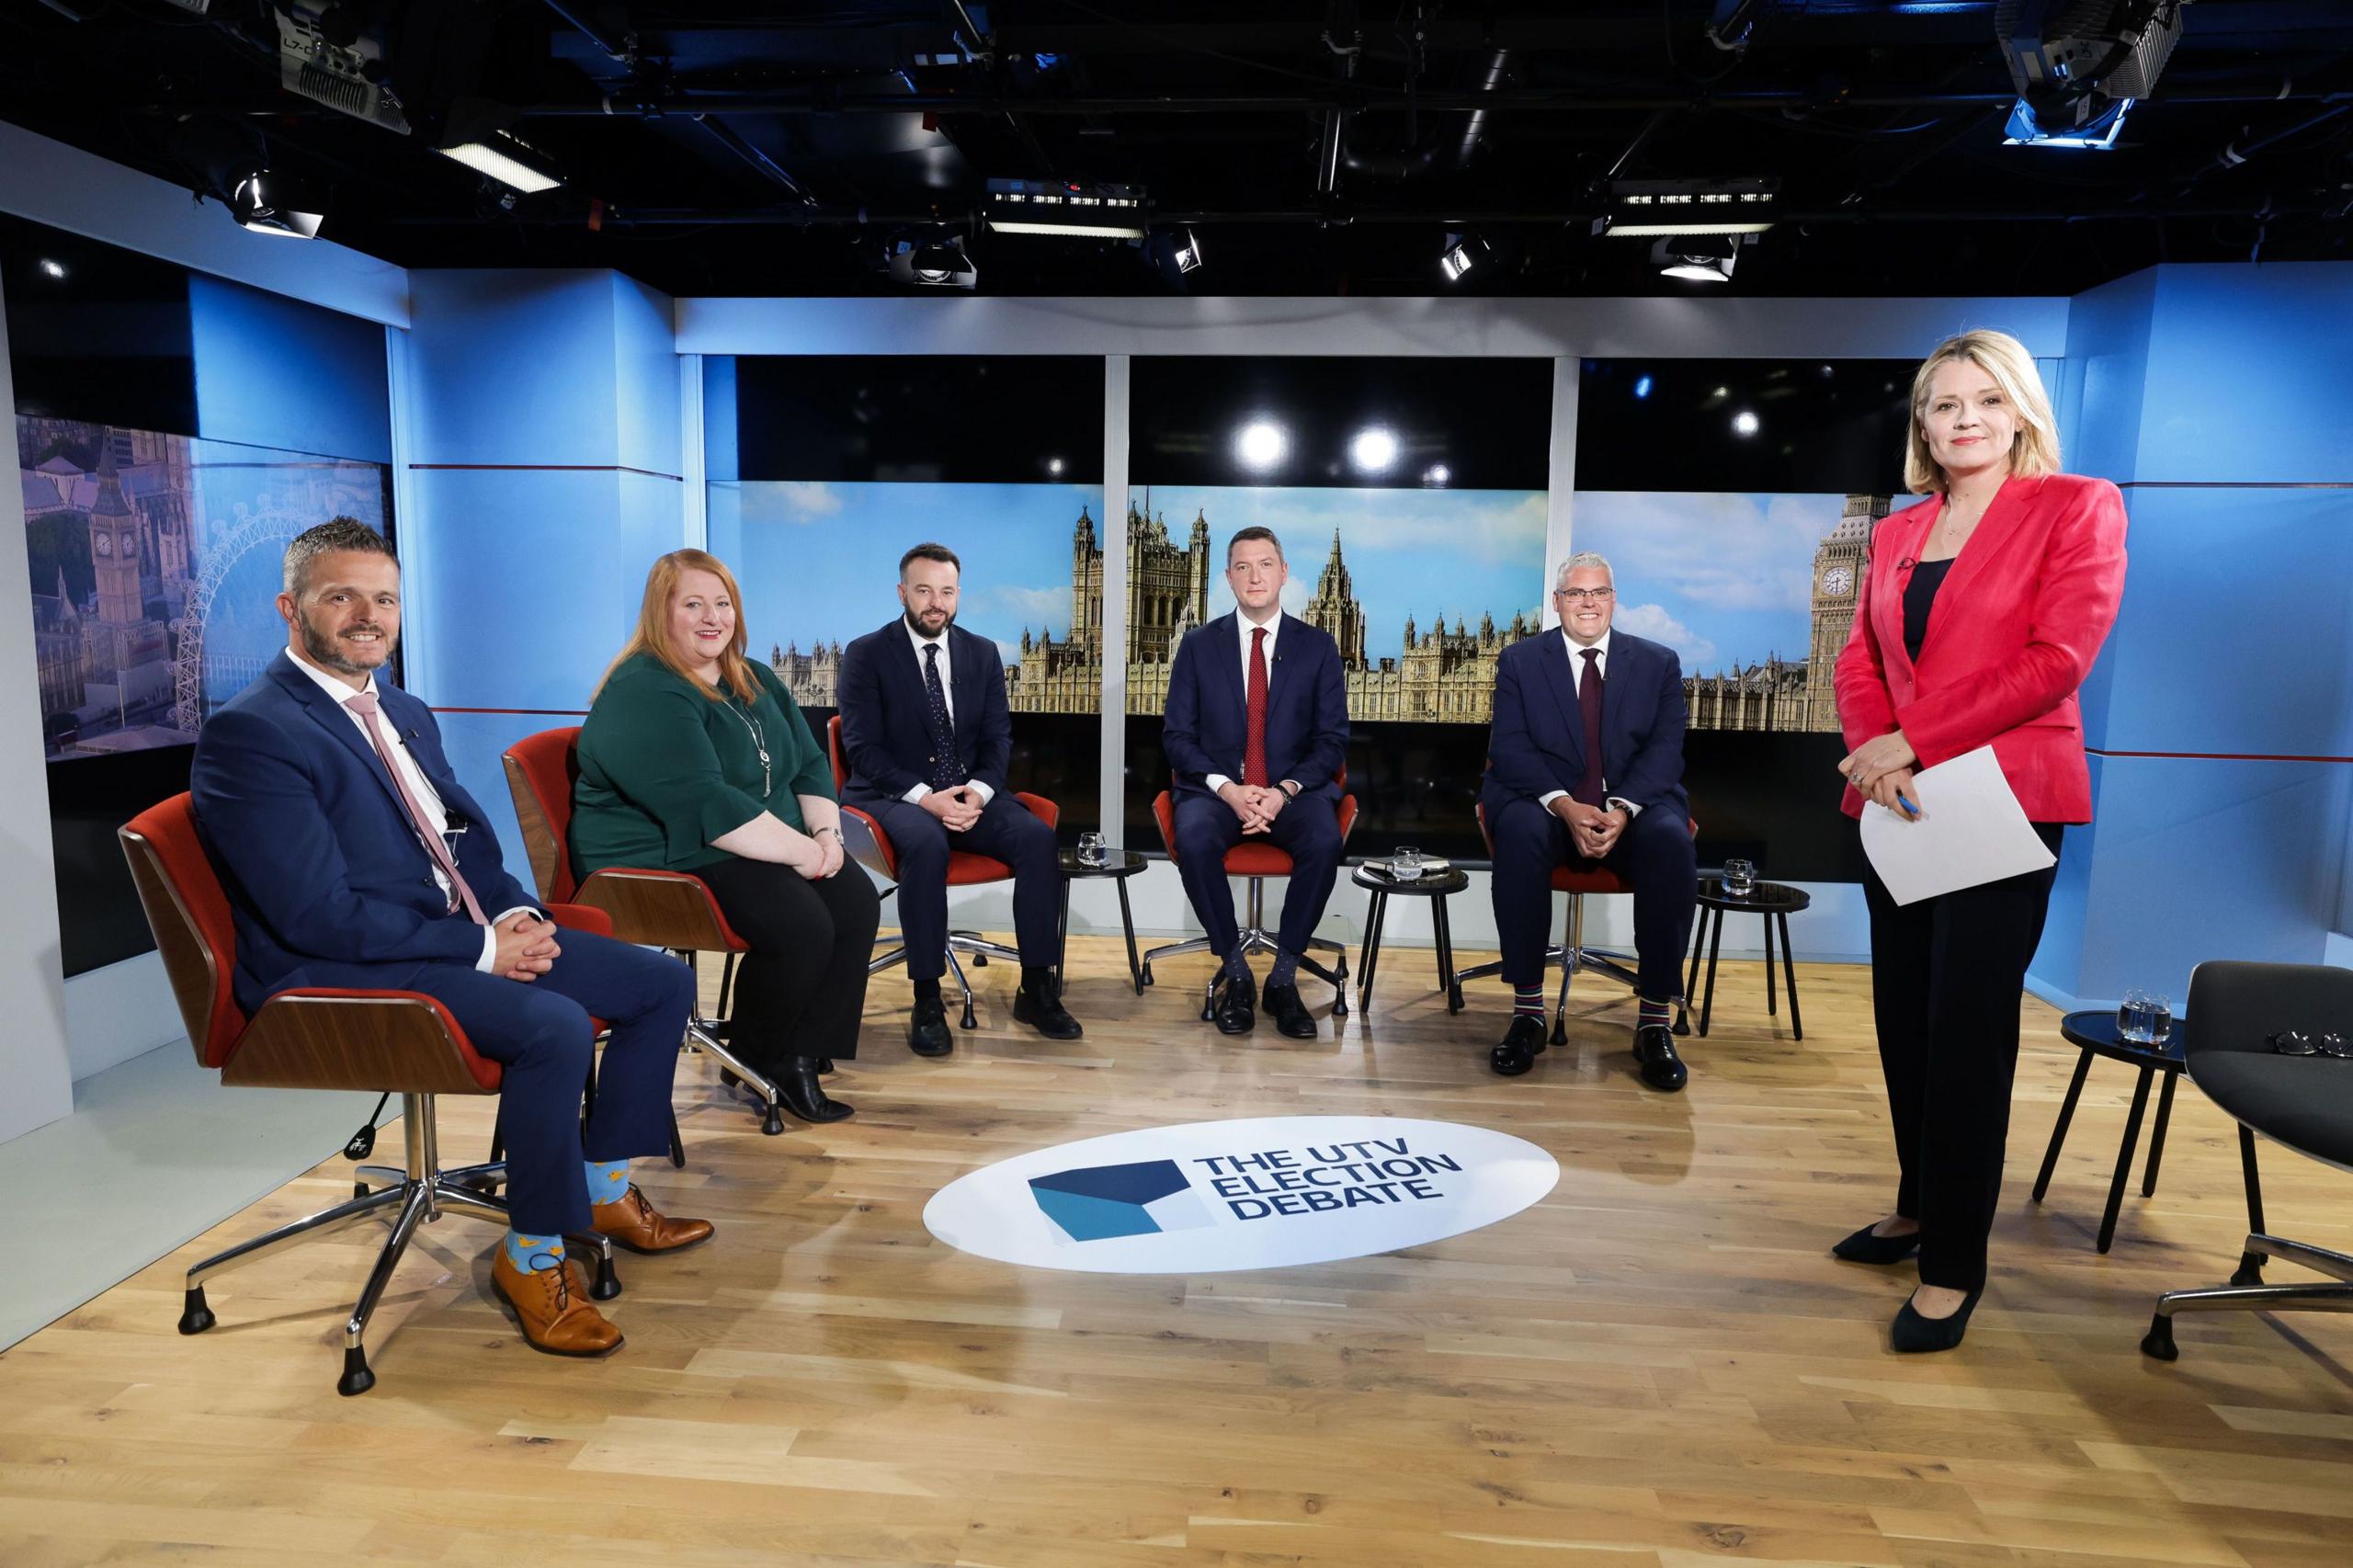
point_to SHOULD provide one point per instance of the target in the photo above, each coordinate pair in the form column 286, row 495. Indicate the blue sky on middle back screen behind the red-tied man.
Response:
column 1411, row 552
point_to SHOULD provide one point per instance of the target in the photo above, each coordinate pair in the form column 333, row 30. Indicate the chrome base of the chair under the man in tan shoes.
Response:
column 418, row 1195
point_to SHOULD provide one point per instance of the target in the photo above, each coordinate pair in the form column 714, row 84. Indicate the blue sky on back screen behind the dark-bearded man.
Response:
column 820, row 562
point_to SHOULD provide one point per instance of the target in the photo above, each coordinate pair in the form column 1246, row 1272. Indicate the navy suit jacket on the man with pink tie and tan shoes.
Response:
column 316, row 849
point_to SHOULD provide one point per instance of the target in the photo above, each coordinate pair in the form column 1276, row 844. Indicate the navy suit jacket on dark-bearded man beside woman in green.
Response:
column 888, row 712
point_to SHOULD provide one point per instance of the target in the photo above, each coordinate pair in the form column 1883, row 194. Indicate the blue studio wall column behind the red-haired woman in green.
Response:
column 542, row 481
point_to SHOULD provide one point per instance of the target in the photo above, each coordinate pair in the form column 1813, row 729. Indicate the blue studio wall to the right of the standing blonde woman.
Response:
column 2222, row 712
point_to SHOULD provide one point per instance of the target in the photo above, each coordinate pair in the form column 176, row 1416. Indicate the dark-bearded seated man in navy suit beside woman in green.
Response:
column 926, row 736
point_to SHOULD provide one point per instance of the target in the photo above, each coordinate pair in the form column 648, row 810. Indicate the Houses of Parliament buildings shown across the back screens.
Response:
column 1441, row 675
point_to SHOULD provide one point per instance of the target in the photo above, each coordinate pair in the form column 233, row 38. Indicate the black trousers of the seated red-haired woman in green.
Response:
column 804, row 983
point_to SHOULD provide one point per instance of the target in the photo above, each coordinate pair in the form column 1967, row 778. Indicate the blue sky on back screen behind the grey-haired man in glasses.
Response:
column 1719, row 578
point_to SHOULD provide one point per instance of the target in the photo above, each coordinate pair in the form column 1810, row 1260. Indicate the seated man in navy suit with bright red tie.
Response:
column 1258, row 729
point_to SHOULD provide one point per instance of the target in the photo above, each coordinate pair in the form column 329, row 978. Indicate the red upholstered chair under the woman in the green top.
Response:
column 648, row 908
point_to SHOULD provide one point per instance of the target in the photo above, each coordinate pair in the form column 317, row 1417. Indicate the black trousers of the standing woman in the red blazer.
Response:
column 1945, row 995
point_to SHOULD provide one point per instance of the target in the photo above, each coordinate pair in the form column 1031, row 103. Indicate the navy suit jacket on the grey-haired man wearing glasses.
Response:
column 1540, row 733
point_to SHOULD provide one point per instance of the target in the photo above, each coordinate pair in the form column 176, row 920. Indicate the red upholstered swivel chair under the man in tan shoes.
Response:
column 385, row 1042
